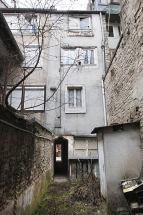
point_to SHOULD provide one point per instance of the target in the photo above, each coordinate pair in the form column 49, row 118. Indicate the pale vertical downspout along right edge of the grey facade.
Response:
column 104, row 68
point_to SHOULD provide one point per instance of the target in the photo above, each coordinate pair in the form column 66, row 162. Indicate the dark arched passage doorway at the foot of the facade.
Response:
column 60, row 156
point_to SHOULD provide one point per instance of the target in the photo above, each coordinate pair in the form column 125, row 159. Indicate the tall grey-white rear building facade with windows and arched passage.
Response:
column 65, row 88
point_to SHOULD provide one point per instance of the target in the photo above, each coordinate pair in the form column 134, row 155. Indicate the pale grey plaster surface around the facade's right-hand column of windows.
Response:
column 89, row 76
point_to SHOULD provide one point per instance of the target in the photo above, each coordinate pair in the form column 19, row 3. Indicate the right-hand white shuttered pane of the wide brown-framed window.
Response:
column 34, row 99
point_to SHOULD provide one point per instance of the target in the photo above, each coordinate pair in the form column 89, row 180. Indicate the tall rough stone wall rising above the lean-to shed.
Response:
column 124, row 77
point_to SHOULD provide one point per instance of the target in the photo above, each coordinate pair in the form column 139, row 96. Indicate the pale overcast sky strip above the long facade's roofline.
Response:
column 59, row 4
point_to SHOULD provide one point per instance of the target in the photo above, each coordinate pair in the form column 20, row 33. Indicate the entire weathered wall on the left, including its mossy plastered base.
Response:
column 25, row 159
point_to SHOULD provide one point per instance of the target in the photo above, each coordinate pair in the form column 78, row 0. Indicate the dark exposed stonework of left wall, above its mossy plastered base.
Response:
column 24, row 156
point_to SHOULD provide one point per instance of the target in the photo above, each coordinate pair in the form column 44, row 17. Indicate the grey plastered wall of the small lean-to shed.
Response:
column 123, row 160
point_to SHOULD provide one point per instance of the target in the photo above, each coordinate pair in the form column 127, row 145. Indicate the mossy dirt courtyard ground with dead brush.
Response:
column 72, row 199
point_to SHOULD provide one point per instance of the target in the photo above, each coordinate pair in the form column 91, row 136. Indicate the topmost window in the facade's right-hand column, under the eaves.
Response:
column 80, row 25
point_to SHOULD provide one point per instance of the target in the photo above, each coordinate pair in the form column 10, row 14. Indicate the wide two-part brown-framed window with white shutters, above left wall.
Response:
column 28, row 98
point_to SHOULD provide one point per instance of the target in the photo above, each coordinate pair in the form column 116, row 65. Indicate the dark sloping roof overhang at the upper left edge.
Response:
column 8, row 39
